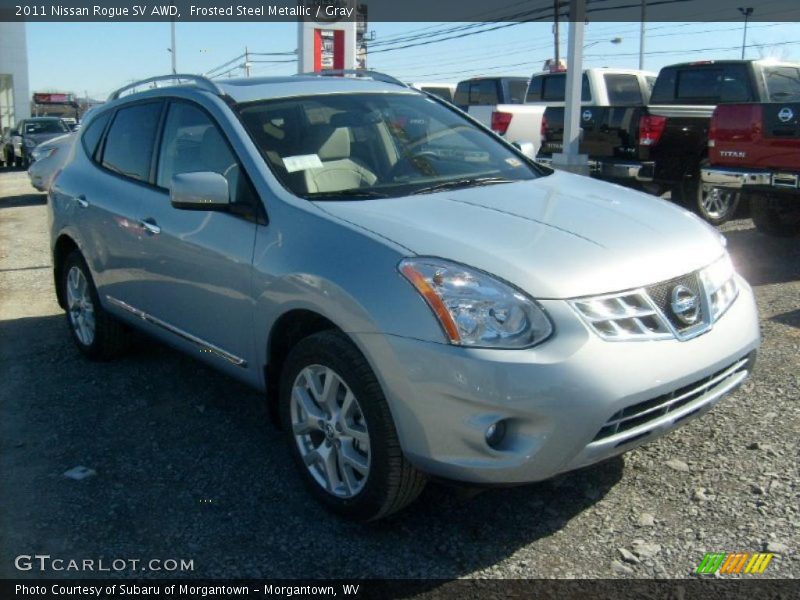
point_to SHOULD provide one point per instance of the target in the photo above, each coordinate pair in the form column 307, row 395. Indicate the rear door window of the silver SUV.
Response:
column 129, row 143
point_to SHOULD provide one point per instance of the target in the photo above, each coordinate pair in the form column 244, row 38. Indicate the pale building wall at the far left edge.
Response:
column 14, row 90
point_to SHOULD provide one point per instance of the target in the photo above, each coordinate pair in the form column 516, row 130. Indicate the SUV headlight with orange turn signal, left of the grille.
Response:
column 475, row 309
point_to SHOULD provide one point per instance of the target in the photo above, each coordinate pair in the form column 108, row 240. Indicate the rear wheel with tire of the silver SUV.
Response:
column 97, row 334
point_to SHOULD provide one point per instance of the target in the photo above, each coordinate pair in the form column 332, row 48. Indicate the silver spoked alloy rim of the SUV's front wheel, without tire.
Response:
column 330, row 431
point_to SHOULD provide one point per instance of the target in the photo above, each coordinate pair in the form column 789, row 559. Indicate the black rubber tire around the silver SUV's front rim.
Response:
column 334, row 350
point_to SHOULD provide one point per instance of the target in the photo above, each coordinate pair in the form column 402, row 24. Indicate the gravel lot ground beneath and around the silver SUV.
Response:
column 187, row 466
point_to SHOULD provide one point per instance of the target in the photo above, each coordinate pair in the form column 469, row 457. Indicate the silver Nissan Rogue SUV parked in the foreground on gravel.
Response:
column 415, row 297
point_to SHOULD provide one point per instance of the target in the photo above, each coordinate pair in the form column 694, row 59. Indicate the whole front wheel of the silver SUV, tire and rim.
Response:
column 388, row 482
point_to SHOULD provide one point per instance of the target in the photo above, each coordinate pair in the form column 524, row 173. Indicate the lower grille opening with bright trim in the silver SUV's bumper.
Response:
column 644, row 412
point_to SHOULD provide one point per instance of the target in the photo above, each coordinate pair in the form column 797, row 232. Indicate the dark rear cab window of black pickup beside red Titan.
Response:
column 712, row 84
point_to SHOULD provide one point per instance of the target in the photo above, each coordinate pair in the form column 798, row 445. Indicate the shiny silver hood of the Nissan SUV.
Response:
column 559, row 236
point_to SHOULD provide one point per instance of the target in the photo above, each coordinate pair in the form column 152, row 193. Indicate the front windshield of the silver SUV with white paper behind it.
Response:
column 341, row 146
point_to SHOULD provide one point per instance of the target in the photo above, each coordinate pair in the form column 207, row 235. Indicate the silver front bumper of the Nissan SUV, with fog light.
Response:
column 556, row 399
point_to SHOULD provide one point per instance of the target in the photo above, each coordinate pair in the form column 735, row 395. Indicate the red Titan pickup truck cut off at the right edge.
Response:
column 755, row 148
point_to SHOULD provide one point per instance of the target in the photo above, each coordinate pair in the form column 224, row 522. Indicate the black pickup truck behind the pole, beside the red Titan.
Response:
column 663, row 146
